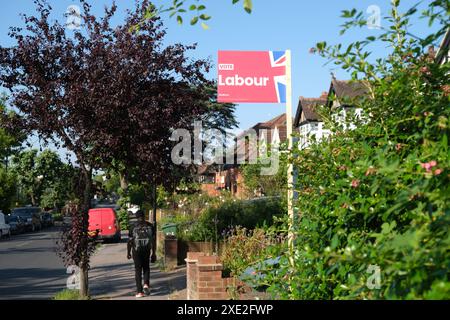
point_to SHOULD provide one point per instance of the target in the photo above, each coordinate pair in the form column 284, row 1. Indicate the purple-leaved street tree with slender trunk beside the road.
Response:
column 105, row 94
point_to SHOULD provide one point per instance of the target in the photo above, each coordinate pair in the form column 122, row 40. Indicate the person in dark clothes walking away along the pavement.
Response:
column 140, row 248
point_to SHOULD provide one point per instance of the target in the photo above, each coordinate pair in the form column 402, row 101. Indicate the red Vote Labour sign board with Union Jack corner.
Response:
column 252, row 76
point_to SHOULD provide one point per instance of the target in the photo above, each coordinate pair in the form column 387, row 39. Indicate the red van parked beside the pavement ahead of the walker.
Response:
column 105, row 221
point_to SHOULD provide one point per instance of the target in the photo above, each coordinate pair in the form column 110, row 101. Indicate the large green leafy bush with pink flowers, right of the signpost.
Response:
column 377, row 195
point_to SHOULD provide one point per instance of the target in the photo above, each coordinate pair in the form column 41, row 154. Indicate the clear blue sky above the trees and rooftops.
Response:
column 274, row 25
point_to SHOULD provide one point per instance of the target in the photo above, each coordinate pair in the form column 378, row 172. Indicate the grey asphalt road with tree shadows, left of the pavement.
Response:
column 30, row 267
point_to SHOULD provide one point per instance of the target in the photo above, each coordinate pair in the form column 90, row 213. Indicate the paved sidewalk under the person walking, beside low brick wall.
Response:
column 112, row 277
